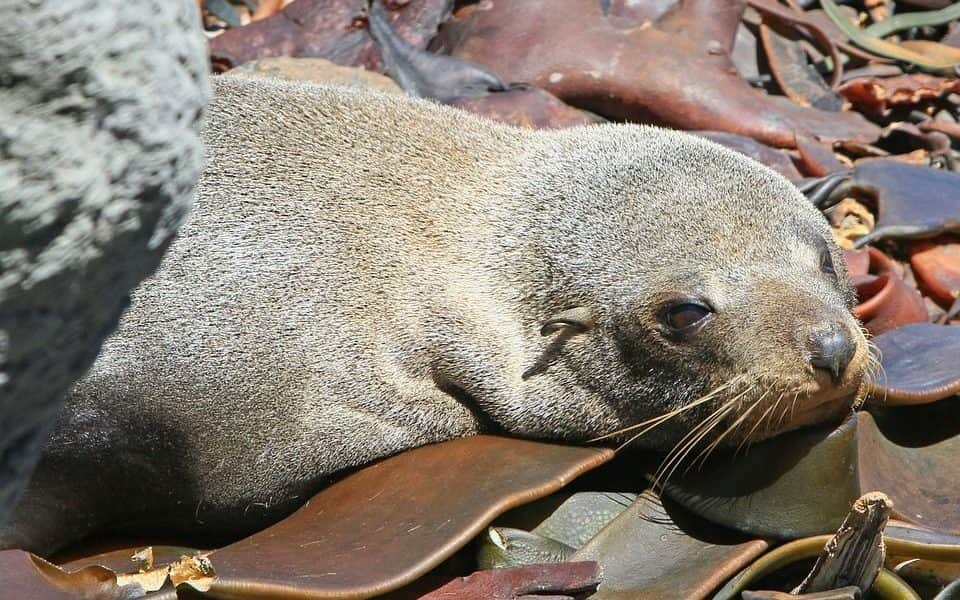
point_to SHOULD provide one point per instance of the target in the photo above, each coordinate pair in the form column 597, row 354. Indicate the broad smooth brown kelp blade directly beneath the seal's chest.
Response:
column 419, row 507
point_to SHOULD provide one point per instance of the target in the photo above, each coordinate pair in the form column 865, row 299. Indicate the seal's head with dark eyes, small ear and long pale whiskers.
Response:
column 705, row 283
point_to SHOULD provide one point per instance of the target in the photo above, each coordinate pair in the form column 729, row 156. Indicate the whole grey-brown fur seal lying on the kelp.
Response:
column 364, row 273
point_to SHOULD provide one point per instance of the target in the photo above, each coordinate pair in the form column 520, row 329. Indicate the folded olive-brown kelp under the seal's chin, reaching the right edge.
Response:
column 802, row 483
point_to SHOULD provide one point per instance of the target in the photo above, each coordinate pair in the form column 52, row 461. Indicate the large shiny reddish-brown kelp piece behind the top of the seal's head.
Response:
column 674, row 71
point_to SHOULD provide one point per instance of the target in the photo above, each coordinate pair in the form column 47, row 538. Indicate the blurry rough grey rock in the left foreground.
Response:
column 99, row 154
